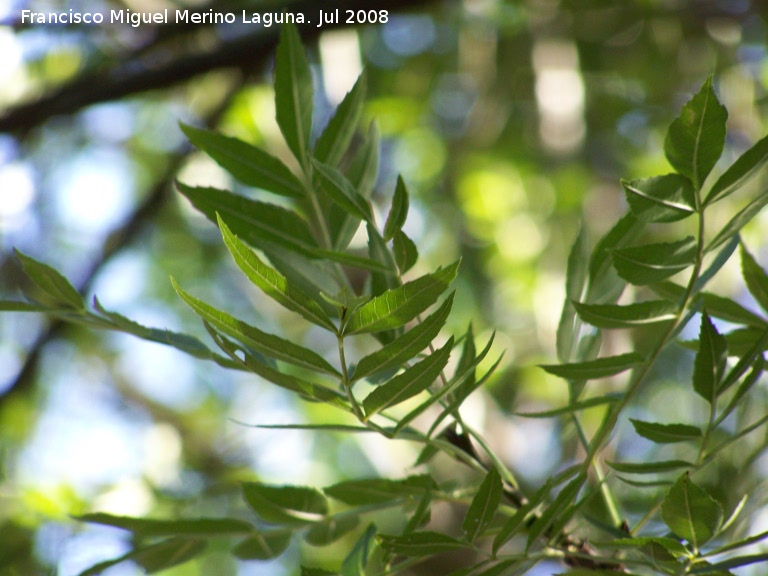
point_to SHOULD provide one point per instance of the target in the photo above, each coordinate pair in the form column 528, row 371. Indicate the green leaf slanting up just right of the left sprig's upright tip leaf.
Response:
column 335, row 139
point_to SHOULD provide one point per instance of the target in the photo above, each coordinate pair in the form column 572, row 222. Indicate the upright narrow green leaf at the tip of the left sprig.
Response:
column 293, row 93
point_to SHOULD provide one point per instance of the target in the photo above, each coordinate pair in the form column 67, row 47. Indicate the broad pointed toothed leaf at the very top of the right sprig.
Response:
column 695, row 138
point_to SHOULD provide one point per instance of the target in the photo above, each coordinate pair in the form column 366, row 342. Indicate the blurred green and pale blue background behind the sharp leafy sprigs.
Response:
column 511, row 120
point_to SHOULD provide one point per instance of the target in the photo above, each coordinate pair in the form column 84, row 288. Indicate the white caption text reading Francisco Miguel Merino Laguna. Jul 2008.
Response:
column 166, row 16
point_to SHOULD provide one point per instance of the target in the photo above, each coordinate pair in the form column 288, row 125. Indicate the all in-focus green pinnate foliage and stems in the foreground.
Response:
column 296, row 252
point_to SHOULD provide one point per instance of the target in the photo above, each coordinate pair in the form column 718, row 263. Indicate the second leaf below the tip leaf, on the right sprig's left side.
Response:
column 651, row 263
